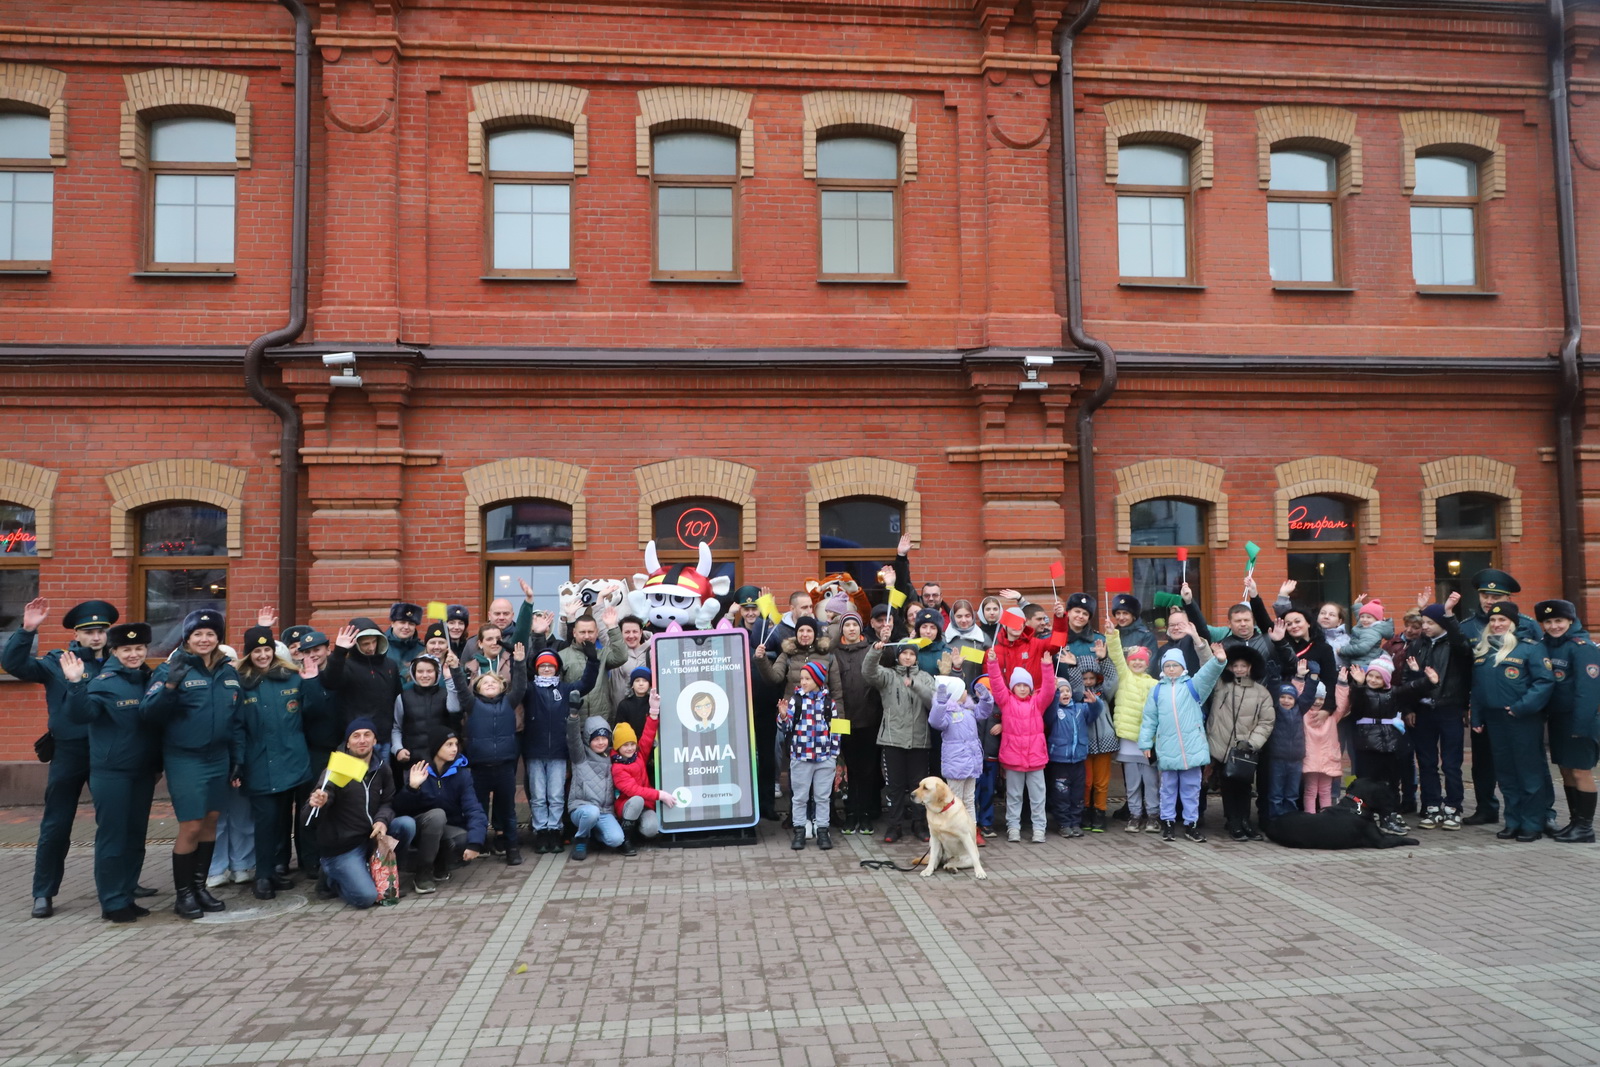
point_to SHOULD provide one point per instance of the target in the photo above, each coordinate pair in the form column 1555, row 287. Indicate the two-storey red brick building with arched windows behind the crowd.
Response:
column 785, row 265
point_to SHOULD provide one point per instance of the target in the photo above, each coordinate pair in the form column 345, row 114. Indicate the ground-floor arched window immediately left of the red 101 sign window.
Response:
column 527, row 541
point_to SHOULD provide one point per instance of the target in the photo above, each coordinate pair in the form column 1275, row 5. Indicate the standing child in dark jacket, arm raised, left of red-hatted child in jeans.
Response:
column 490, row 733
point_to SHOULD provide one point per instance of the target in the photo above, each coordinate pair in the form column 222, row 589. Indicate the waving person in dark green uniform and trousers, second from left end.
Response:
column 126, row 759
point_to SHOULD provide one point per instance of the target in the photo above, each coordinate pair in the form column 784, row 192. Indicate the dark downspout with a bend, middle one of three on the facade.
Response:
column 1108, row 358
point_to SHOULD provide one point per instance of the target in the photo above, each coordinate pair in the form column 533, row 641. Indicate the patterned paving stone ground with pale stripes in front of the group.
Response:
column 1113, row 949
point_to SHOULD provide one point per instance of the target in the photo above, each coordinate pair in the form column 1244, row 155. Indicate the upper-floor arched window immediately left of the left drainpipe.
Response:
column 193, row 170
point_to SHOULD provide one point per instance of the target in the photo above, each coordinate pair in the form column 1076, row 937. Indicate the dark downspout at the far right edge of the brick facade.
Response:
column 1570, row 394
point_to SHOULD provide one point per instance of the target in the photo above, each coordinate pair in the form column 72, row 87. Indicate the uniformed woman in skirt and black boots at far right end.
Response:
column 1574, row 714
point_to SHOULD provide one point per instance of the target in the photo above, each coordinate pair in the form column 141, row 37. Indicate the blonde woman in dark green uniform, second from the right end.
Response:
column 1511, row 689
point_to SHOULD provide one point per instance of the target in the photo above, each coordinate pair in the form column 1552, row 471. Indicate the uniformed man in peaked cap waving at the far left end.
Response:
column 70, row 765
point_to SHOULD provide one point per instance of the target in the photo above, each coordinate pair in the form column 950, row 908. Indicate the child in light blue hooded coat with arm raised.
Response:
column 1172, row 733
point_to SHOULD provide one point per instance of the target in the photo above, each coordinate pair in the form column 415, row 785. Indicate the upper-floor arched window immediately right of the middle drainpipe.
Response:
column 1153, row 214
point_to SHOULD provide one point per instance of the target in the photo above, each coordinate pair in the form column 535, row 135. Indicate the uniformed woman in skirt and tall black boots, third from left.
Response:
column 194, row 701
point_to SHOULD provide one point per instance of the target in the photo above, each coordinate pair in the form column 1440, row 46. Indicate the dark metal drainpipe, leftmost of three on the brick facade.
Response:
column 289, row 415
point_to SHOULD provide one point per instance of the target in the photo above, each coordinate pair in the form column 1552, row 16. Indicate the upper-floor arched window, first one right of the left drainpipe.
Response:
column 530, row 175
